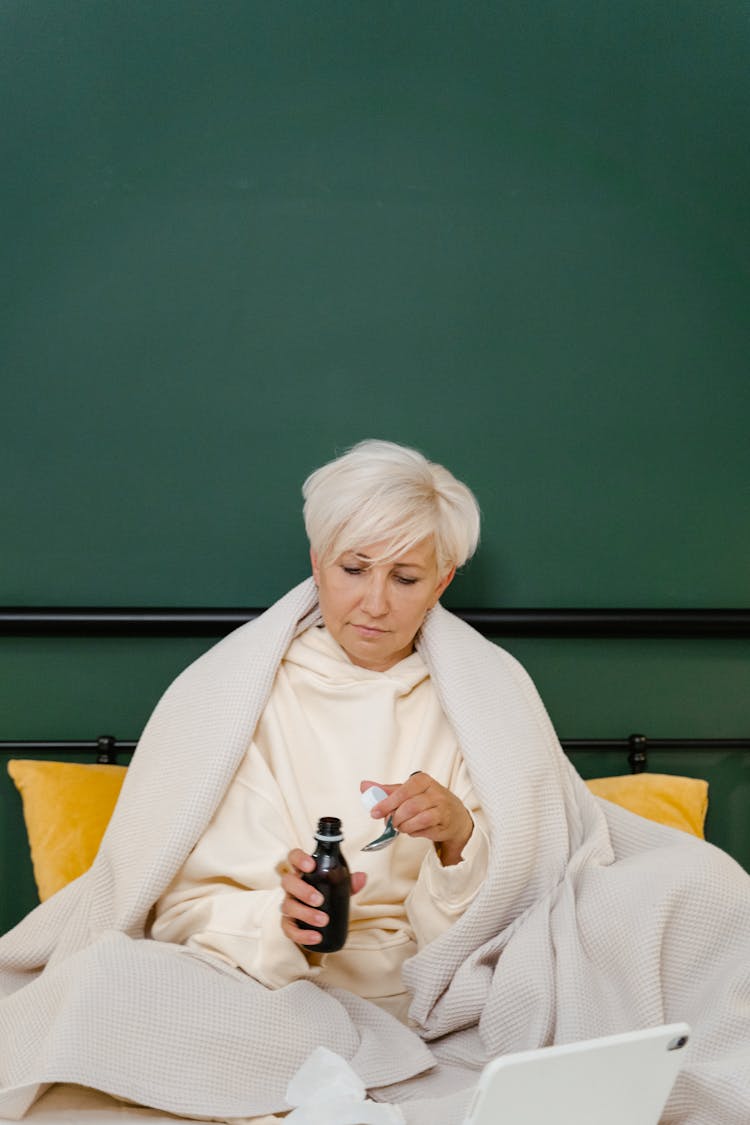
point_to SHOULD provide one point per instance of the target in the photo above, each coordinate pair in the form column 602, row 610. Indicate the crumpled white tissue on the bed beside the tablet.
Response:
column 326, row 1091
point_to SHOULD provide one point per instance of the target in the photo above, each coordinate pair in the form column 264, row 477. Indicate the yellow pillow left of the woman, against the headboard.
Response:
column 67, row 808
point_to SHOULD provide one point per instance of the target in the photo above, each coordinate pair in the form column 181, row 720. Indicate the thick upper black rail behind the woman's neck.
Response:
column 195, row 623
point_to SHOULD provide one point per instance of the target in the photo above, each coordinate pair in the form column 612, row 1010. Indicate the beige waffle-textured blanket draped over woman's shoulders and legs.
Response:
column 591, row 922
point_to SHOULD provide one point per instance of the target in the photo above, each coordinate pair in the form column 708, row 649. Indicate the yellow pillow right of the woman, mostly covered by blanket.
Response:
column 680, row 803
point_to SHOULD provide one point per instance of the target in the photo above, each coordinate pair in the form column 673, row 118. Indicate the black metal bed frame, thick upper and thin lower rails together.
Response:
column 553, row 624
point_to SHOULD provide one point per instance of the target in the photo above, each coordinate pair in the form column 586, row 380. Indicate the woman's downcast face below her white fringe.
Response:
column 376, row 610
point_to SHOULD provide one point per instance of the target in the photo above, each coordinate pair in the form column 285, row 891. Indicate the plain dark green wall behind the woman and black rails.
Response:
column 239, row 237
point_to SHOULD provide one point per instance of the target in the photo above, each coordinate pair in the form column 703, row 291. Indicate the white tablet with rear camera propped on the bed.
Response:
column 617, row 1081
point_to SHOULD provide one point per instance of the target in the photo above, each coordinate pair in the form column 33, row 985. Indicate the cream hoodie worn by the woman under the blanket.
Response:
column 328, row 726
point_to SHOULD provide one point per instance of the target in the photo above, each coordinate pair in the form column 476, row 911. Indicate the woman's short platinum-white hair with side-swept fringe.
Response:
column 383, row 493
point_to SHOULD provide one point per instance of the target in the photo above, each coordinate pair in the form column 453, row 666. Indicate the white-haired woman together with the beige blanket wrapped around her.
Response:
column 514, row 911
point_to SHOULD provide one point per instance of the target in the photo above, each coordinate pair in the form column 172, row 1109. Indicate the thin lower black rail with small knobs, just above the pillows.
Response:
column 107, row 748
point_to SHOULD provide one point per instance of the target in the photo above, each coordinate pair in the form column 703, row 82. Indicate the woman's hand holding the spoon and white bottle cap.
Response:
column 424, row 808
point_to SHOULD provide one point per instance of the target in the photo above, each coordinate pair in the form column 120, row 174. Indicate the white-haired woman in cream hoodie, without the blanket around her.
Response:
column 353, row 705
